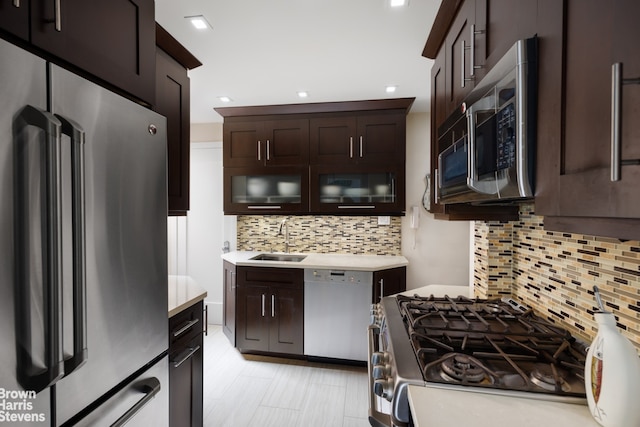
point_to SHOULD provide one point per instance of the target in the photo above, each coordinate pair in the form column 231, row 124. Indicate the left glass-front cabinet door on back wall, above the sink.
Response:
column 282, row 190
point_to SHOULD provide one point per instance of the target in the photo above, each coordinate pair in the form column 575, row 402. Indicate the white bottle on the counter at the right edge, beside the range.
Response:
column 612, row 376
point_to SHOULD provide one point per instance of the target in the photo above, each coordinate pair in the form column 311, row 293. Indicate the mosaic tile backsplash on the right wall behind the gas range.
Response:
column 554, row 273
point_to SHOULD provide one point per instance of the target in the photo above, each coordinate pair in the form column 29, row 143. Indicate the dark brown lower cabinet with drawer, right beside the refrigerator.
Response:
column 186, row 367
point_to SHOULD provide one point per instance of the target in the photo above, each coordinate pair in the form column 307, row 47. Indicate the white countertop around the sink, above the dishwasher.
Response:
column 329, row 261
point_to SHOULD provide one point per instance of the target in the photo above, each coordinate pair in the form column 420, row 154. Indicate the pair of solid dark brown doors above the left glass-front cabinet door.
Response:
column 278, row 142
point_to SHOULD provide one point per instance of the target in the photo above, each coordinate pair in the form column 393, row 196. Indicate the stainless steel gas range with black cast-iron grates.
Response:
column 491, row 346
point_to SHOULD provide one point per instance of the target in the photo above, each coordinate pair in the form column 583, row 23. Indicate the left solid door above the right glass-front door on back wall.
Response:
column 332, row 140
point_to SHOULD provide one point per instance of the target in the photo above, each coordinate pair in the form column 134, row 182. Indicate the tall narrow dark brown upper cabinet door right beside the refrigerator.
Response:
column 172, row 101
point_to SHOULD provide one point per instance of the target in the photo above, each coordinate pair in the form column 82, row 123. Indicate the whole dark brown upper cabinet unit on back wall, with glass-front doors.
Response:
column 334, row 158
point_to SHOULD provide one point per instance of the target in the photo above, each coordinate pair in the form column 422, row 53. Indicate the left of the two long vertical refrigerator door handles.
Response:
column 38, row 375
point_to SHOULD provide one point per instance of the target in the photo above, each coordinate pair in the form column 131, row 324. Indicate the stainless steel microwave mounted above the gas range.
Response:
column 487, row 147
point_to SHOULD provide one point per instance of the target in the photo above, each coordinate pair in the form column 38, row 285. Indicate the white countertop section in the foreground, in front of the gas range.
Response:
column 453, row 408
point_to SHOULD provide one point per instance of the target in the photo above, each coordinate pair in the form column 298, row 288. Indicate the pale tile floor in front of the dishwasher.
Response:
column 248, row 390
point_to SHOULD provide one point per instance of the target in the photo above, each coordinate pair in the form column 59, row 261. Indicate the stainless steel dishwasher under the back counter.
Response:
column 337, row 313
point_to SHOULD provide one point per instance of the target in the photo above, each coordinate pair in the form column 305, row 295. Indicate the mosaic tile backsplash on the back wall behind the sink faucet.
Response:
column 321, row 234
